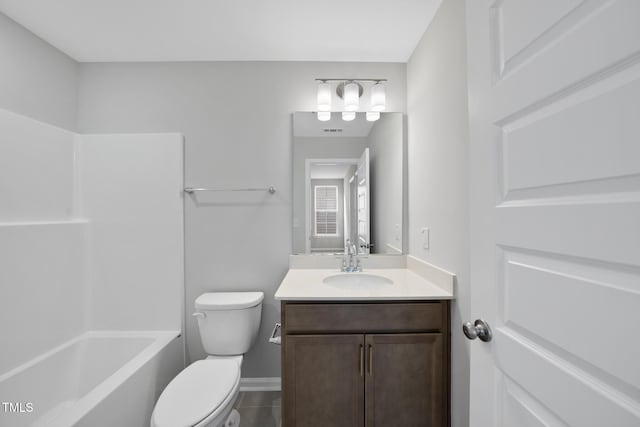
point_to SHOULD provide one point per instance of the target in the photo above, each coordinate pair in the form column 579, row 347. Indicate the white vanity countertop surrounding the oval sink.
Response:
column 307, row 284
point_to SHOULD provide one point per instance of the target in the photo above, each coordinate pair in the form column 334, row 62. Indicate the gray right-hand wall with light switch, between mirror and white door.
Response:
column 439, row 171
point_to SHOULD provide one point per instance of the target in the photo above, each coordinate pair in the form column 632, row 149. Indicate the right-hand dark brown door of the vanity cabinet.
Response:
column 406, row 380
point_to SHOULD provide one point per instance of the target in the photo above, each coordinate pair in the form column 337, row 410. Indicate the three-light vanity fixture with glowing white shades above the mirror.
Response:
column 350, row 91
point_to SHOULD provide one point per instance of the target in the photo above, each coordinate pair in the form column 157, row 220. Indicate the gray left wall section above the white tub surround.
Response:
column 36, row 79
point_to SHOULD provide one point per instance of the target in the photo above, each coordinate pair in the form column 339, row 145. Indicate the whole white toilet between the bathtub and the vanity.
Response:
column 202, row 395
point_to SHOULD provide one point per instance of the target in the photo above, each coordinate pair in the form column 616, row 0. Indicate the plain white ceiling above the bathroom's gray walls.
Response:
column 232, row 30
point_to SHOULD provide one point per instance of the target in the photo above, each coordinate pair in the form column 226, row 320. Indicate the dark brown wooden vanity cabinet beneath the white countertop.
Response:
column 368, row 364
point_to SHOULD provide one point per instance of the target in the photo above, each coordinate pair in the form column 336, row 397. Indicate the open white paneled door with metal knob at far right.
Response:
column 555, row 155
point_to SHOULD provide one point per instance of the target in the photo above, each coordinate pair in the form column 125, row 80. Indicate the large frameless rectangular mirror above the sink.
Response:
column 348, row 184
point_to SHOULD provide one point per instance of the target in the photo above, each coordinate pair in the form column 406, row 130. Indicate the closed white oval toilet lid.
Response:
column 196, row 392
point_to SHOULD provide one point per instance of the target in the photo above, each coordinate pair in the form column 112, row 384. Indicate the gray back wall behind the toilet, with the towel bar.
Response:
column 236, row 118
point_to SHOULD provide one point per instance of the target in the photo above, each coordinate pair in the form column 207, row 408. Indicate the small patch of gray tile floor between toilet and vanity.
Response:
column 258, row 408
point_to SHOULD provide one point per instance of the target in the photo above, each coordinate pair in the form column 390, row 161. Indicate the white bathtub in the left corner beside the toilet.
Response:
column 96, row 379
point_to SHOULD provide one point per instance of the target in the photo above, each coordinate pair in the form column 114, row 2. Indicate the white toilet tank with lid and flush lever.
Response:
column 228, row 321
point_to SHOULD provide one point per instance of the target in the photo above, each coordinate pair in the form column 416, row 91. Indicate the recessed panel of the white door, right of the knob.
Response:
column 605, row 299
